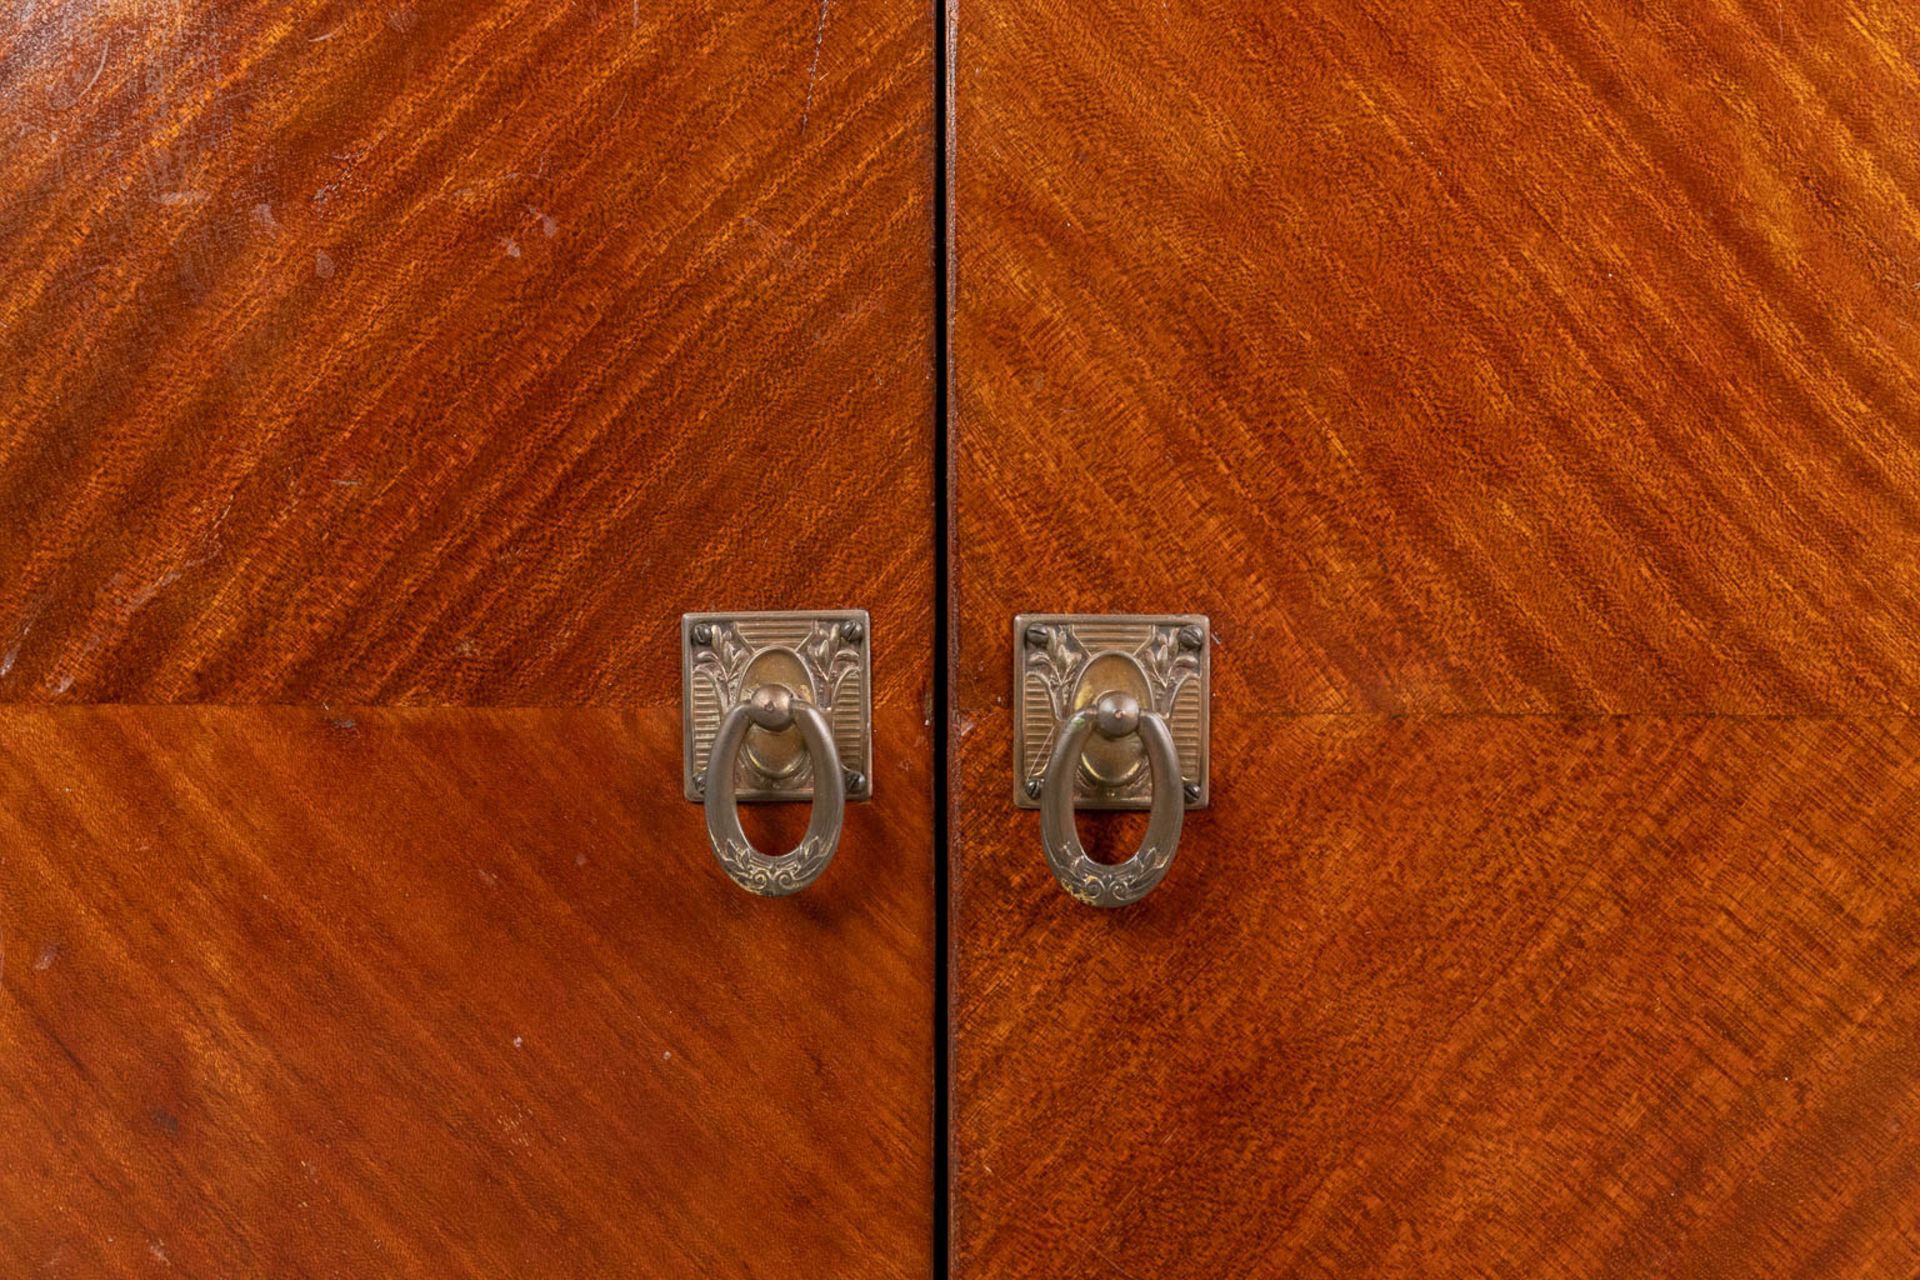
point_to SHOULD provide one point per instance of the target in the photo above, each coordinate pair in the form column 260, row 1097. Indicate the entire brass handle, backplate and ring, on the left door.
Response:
column 777, row 709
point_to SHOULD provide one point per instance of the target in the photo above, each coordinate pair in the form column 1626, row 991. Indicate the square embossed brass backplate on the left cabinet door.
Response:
column 823, row 657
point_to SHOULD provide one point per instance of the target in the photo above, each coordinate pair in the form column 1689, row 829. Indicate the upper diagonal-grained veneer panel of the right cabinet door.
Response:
column 1452, row 358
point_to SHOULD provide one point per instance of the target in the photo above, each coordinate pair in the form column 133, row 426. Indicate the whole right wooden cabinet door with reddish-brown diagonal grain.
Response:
column 1529, row 396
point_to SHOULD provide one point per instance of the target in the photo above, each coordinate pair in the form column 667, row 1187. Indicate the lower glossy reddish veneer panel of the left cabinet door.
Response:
column 427, row 993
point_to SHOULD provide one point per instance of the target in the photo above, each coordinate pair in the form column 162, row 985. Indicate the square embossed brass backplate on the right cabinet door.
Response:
column 1067, row 661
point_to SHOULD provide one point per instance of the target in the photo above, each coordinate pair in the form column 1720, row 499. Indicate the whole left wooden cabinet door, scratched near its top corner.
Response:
column 383, row 383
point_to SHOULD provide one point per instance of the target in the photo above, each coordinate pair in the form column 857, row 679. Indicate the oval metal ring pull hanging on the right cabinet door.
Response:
column 1136, row 878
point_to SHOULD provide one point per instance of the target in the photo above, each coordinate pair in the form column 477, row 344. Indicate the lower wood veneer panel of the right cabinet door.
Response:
column 1458, row 997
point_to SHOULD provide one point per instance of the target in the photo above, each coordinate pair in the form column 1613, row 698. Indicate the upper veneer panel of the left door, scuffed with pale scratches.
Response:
column 448, row 352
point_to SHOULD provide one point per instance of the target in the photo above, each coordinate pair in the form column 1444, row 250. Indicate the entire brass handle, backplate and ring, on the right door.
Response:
column 1111, row 713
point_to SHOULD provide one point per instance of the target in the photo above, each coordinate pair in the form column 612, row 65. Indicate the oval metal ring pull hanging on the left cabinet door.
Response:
column 746, row 866
